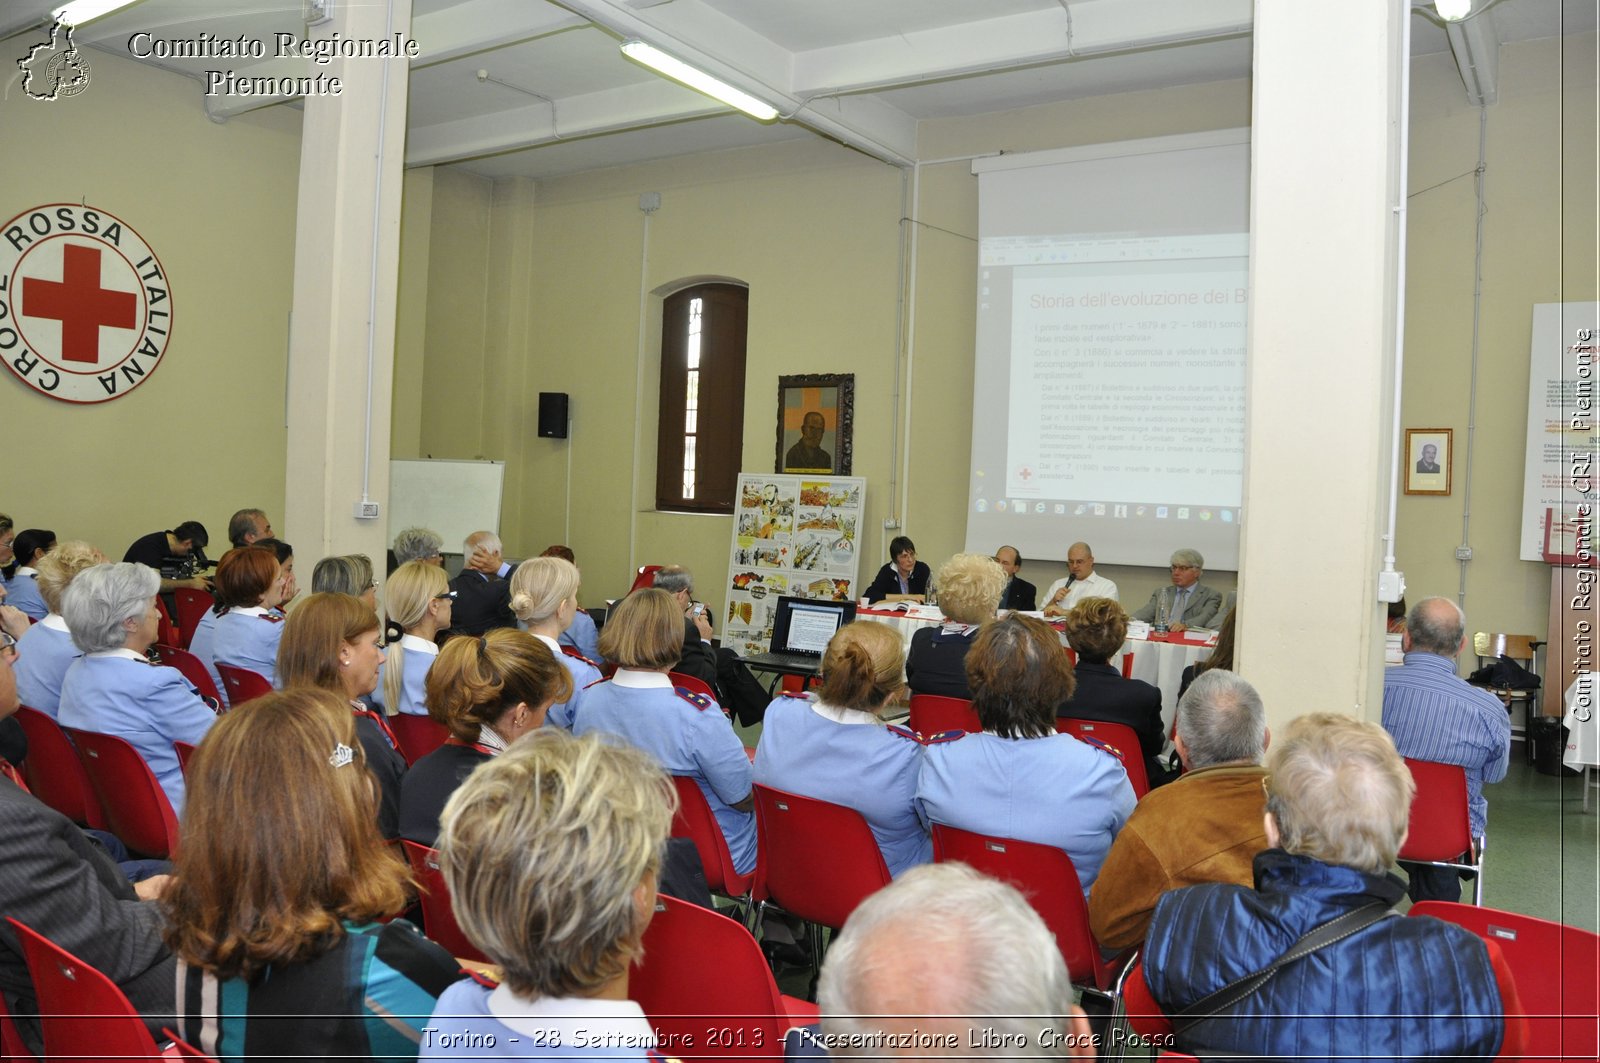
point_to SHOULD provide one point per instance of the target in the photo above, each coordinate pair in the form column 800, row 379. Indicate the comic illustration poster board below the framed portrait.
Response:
column 793, row 536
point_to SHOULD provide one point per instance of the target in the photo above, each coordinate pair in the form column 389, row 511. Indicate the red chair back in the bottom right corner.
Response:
column 1556, row 969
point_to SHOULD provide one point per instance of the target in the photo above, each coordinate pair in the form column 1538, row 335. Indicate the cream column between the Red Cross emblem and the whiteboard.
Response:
column 346, row 268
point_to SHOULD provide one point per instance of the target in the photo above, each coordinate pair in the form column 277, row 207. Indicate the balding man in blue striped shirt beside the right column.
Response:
column 1434, row 715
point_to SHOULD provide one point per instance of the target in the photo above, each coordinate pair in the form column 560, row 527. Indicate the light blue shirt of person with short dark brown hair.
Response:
column 1054, row 790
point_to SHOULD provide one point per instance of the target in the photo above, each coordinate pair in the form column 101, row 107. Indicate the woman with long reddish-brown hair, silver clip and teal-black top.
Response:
column 281, row 894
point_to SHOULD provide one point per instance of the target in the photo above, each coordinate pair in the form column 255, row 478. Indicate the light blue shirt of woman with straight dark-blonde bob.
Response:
column 687, row 739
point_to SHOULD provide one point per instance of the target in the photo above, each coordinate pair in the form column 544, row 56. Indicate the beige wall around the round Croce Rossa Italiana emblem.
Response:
column 204, row 436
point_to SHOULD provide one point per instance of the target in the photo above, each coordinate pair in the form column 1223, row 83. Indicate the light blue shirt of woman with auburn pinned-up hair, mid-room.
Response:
column 852, row 760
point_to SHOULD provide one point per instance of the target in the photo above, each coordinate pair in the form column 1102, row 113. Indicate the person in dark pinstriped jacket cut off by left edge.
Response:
column 57, row 881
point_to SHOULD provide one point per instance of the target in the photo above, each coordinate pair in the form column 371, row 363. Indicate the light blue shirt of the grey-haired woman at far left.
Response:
column 146, row 705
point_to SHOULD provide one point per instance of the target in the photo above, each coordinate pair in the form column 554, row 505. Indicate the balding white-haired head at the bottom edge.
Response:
column 951, row 955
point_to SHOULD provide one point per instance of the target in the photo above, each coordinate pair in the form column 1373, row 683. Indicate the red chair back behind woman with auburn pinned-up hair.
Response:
column 817, row 860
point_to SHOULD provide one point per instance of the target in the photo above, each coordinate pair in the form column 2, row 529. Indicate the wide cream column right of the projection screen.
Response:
column 1326, row 159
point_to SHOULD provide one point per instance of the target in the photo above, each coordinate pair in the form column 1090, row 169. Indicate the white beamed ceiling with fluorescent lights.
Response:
column 535, row 89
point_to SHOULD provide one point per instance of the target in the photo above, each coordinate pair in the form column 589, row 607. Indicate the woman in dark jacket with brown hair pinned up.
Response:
column 489, row 691
